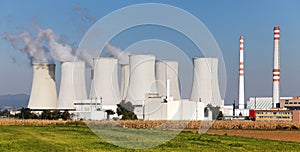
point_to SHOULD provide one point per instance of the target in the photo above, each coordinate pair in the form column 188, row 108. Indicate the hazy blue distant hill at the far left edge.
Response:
column 13, row 101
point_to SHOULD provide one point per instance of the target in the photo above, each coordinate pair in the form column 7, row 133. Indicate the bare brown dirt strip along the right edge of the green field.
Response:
column 274, row 135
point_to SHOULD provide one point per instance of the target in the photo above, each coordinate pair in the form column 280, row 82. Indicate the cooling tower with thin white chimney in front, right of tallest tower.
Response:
column 167, row 70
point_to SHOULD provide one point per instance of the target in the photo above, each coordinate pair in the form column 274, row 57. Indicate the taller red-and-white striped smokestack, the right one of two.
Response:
column 276, row 70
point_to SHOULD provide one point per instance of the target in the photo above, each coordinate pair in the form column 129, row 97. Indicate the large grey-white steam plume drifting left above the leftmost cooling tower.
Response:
column 42, row 48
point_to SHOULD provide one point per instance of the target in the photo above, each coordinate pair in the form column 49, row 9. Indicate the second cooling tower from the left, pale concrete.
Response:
column 72, row 85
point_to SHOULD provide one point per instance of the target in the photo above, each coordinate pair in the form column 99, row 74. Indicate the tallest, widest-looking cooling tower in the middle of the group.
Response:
column 141, row 79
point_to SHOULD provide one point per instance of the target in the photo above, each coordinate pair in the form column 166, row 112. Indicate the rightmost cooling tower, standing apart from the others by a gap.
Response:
column 205, row 83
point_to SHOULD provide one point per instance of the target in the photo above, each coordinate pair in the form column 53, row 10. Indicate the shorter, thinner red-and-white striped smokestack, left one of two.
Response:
column 241, row 77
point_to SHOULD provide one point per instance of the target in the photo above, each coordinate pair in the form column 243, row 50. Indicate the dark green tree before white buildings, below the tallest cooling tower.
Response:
column 126, row 110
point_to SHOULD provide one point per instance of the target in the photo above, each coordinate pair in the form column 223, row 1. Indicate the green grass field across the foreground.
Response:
column 81, row 138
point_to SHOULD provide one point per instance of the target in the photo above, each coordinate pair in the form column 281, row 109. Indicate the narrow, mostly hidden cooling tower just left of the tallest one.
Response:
column 125, row 79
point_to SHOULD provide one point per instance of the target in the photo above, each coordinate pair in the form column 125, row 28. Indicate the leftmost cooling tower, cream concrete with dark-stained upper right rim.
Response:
column 43, row 91
